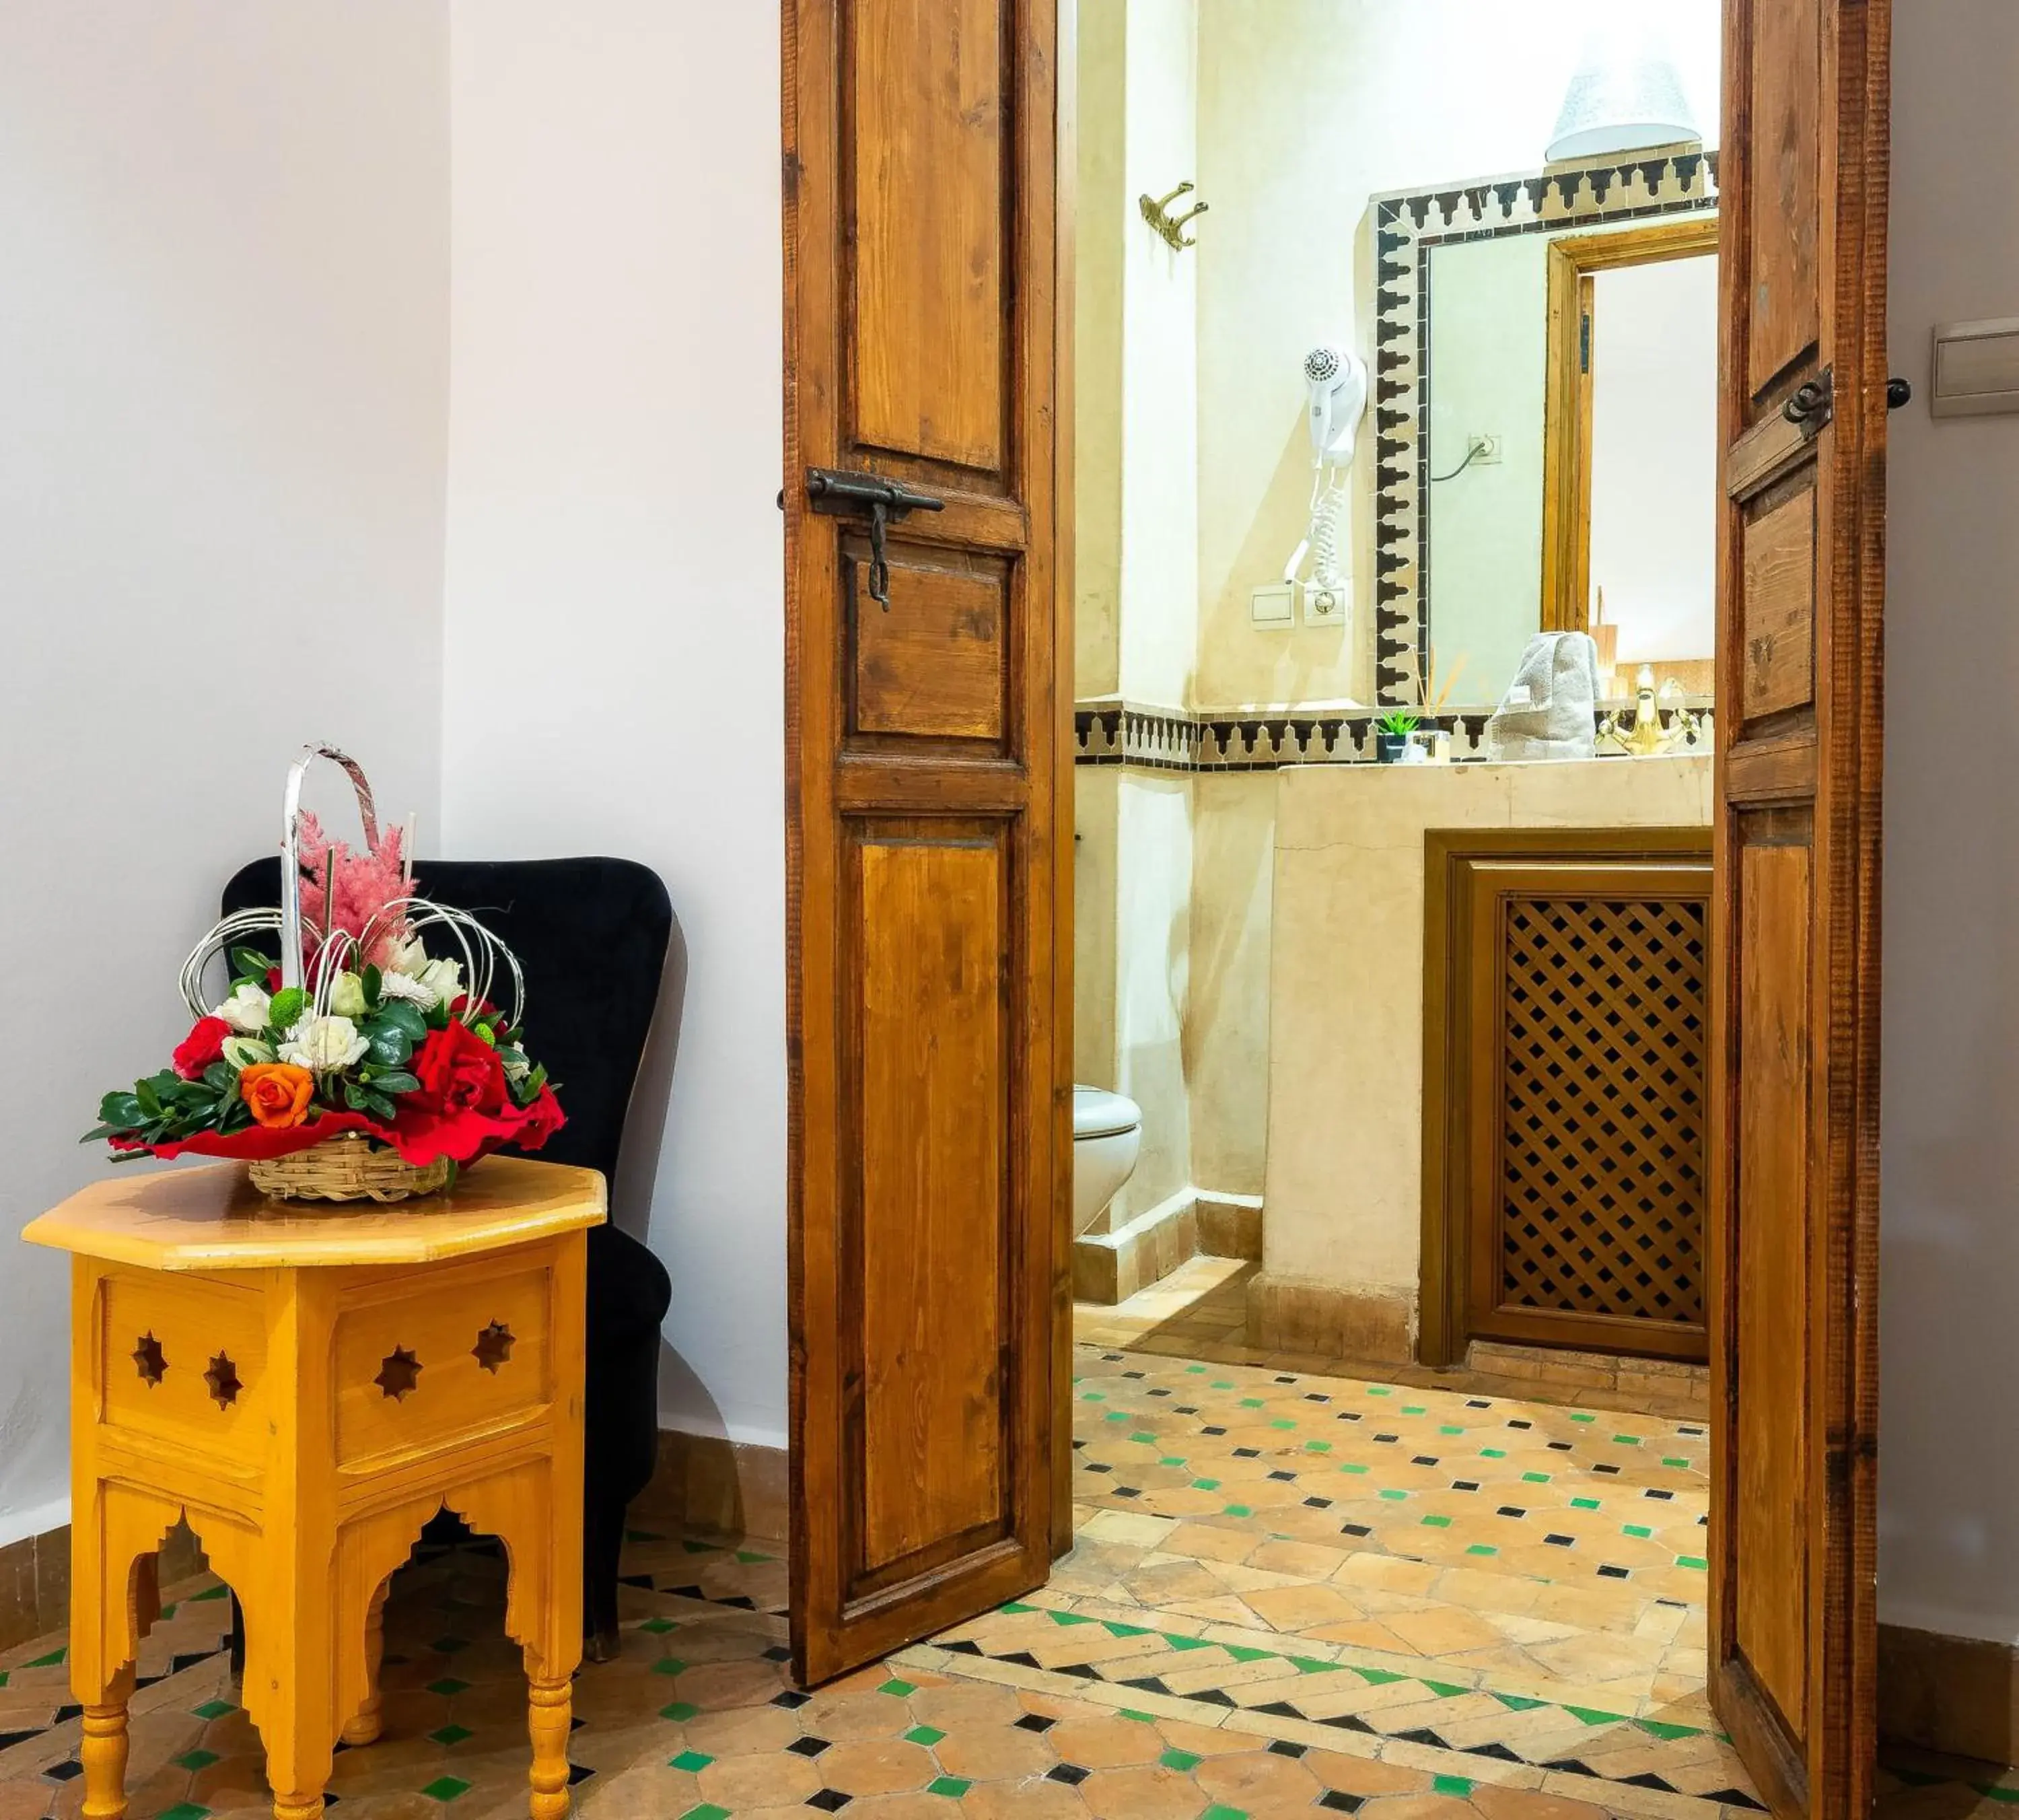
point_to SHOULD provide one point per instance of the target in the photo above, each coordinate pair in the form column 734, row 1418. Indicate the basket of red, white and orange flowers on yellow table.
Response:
column 358, row 1053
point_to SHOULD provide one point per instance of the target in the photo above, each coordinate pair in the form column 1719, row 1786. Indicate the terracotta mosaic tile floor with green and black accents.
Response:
column 1293, row 1595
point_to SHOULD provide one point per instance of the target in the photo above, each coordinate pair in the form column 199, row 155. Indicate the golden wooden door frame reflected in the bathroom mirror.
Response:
column 1568, row 411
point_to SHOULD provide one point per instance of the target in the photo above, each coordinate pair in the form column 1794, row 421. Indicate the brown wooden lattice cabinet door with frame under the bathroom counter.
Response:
column 1566, row 1110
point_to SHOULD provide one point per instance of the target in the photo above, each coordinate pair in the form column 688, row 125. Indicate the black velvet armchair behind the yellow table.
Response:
column 593, row 940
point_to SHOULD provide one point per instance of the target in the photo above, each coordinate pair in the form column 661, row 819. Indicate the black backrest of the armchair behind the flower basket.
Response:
column 593, row 940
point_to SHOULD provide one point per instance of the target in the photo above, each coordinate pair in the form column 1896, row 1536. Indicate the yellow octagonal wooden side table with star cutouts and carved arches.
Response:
column 308, row 1389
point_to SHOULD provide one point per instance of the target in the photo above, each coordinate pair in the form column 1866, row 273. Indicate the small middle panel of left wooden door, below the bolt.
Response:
column 936, row 666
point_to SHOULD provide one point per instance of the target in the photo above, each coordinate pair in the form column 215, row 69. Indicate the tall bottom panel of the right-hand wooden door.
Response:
column 1774, row 1292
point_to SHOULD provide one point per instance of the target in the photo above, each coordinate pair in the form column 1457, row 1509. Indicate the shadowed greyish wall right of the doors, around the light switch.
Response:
column 1949, row 1480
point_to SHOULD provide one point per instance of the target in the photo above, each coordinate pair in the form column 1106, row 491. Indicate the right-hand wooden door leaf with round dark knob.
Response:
column 1796, row 934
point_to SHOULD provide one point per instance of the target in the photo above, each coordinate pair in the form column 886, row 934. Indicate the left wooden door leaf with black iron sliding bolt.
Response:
column 930, row 1078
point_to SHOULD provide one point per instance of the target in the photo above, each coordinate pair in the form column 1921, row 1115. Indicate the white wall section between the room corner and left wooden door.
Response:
column 615, row 637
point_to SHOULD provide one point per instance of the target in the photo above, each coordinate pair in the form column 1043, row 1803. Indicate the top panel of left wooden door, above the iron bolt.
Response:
column 930, row 215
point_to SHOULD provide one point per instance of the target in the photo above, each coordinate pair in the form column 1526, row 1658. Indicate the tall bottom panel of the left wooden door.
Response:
column 928, row 1255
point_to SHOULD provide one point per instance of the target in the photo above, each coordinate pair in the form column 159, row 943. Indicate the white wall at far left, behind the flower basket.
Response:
column 223, row 379
